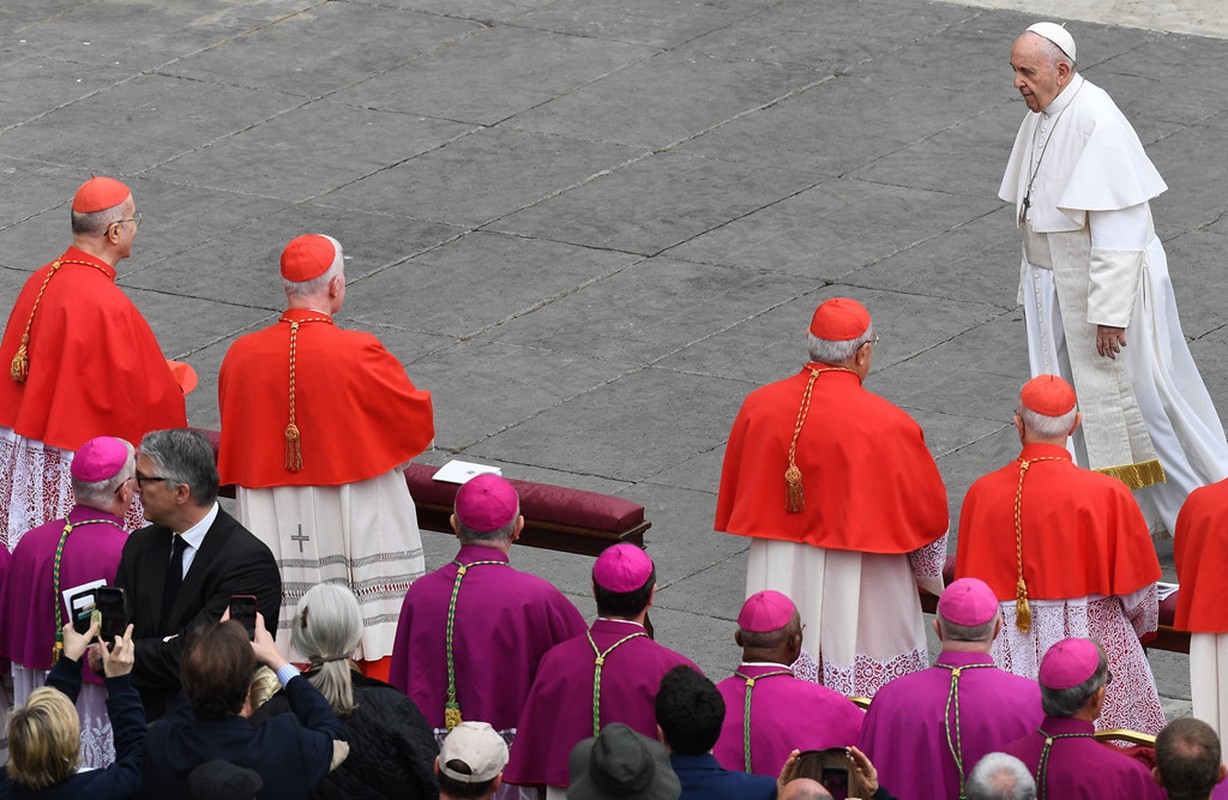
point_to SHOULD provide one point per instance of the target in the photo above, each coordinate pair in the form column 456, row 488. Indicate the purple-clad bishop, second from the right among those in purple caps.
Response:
column 925, row 732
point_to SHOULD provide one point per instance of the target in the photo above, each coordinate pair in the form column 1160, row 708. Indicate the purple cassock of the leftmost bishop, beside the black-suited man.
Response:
column 91, row 552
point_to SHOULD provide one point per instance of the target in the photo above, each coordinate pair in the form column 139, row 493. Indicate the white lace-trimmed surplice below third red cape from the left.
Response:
column 861, row 610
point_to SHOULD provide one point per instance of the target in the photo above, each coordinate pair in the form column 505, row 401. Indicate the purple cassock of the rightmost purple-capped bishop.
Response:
column 1081, row 769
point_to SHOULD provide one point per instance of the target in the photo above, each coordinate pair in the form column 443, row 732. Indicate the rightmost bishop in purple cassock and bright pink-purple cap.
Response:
column 1068, row 763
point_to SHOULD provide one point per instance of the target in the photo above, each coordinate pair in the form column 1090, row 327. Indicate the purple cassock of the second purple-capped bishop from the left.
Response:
column 505, row 624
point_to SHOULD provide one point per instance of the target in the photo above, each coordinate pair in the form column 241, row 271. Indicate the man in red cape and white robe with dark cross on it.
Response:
column 317, row 427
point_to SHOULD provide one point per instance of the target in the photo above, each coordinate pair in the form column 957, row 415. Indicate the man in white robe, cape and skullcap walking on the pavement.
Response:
column 1095, row 286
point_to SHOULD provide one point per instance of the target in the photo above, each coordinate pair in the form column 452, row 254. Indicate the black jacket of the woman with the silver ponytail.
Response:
column 392, row 749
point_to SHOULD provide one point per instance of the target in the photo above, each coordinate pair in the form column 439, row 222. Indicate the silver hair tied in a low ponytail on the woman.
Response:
column 326, row 630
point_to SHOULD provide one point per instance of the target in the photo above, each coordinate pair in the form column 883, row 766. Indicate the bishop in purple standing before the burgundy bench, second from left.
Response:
column 502, row 625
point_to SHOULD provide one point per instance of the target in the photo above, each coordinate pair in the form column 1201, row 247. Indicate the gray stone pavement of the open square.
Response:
column 591, row 229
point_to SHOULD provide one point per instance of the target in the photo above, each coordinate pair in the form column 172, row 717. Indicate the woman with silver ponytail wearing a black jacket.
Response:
column 392, row 749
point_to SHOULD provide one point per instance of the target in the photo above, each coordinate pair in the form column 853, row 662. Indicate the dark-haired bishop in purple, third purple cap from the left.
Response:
column 611, row 674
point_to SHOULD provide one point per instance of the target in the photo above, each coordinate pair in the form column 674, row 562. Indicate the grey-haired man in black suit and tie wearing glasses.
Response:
column 181, row 572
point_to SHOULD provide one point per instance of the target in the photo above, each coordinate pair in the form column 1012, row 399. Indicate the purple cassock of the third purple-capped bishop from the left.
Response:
column 559, row 712
